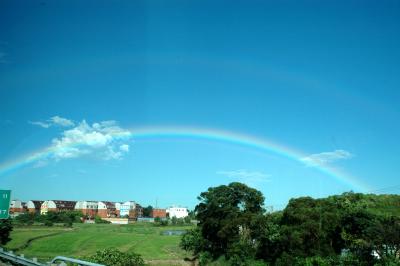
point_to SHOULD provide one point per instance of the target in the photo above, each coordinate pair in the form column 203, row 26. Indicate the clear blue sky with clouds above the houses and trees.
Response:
column 319, row 78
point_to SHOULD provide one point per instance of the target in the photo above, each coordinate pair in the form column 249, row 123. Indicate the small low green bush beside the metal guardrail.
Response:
column 114, row 257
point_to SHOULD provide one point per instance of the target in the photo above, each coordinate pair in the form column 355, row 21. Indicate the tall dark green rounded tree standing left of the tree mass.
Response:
column 227, row 216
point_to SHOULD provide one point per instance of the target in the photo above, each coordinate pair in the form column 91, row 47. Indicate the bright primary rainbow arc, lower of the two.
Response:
column 263, row 144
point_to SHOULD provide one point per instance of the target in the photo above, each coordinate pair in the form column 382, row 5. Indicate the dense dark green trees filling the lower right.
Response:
column 347, row 229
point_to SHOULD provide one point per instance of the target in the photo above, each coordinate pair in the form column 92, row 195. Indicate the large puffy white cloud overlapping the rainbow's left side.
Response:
column 103, row 140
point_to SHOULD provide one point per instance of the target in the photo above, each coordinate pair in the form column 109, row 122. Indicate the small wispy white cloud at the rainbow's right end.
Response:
column 326, row 157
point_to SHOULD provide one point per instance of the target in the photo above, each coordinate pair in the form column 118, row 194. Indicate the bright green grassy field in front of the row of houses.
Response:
column 84, row 239
